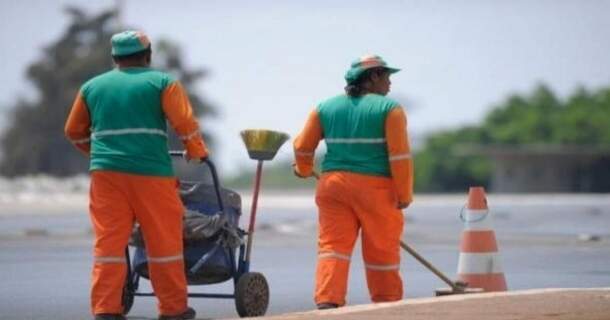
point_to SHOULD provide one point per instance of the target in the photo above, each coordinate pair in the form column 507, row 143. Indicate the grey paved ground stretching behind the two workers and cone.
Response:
column 548, row 243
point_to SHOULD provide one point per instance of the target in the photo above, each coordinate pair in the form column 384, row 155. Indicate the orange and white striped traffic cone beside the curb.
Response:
column 479, row 262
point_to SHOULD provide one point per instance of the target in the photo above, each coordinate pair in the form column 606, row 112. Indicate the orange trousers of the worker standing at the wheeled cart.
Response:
column 117, row 200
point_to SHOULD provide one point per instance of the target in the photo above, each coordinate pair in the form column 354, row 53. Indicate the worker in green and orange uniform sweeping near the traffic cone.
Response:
column 367, row 178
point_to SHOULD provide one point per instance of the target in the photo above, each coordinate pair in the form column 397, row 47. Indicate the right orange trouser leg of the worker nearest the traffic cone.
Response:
column 382, row 225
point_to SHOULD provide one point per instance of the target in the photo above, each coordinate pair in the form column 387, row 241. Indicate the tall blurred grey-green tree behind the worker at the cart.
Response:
column 34, row 141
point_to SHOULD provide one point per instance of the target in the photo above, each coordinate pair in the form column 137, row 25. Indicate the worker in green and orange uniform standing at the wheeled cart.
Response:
column 119, row 120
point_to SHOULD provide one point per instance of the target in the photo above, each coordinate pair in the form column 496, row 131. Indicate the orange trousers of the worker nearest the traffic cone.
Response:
column 349, row 203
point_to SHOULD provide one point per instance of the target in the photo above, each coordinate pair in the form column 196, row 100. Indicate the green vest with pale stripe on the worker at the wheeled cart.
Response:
column 128, row 124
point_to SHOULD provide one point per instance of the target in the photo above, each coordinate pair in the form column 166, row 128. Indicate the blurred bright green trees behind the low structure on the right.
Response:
column 539, row 118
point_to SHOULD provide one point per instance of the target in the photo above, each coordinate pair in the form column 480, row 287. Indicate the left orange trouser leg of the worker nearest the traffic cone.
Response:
column 338, row 230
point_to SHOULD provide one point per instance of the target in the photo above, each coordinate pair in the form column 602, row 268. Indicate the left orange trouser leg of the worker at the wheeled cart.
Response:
column 112, row 221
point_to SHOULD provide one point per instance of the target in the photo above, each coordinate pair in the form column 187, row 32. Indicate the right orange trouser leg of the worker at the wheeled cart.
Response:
column 159, row 211
